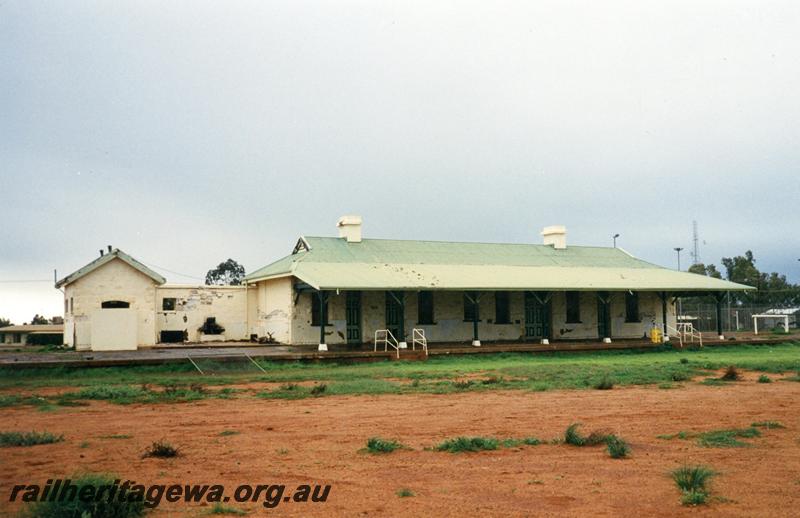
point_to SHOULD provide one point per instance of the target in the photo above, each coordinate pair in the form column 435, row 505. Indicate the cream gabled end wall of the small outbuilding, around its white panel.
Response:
column 115, row 280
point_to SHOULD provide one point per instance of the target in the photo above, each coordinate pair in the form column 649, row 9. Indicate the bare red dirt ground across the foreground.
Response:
column 316, row 441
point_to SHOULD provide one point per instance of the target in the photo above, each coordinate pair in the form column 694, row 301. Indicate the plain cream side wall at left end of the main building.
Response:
column 274, row 309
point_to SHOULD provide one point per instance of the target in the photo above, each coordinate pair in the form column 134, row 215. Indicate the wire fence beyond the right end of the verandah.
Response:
column 735, row 317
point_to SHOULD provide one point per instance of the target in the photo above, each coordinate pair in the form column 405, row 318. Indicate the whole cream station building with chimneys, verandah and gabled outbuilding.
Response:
column 341, row 290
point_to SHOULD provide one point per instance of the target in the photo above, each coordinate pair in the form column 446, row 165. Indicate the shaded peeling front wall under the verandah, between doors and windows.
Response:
column 449, row 318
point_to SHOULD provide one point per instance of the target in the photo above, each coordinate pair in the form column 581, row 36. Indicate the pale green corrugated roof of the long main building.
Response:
column 376, row 264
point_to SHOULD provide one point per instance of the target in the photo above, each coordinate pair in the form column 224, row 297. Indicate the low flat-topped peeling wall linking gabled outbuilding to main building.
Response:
column 228, row 304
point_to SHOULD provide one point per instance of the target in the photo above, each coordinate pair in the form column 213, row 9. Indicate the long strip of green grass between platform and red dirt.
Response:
column 503, row 371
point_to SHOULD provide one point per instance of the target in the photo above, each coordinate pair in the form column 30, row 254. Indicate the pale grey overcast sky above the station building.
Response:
column 188, row 132
